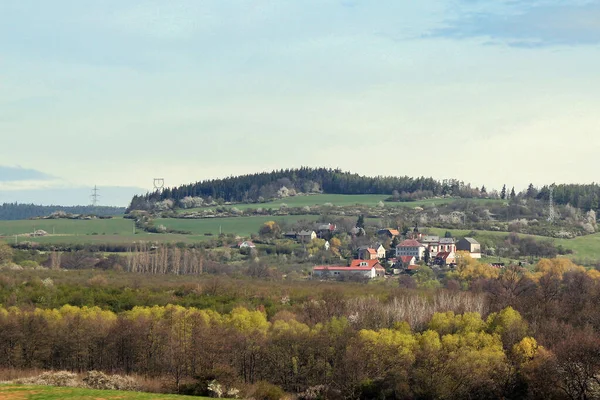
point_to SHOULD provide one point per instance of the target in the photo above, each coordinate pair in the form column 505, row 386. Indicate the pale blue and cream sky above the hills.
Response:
column 116, row 93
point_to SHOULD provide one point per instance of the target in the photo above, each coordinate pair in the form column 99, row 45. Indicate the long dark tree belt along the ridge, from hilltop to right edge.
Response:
column 266, row 186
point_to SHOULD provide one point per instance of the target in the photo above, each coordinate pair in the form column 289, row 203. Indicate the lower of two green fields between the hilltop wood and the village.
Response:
column 243, row 226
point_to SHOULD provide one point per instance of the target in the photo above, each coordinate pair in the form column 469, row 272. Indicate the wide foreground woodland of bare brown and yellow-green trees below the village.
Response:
column 476, row 332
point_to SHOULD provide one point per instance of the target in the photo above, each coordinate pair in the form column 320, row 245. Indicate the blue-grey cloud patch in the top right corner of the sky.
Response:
column 523, row 24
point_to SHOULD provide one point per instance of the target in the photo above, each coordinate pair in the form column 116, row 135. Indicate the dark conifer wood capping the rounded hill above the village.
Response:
column 264, row 186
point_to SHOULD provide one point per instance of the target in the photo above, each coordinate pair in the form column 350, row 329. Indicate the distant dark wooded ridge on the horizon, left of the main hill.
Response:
column 13, row 211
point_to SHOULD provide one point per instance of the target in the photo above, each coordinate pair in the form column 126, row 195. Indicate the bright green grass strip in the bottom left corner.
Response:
column 17, row 392
